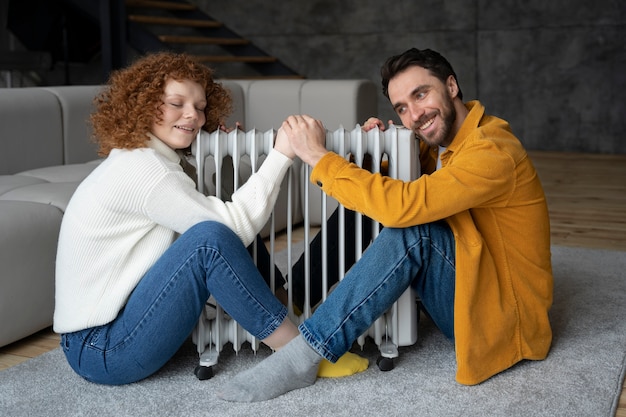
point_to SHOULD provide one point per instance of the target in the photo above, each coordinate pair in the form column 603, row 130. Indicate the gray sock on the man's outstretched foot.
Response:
column 292, row 367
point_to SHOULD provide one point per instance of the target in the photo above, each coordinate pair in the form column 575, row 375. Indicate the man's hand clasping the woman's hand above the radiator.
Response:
column 307, row 137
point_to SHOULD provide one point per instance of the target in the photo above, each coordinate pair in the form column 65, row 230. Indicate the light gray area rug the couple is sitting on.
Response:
column 582, row 376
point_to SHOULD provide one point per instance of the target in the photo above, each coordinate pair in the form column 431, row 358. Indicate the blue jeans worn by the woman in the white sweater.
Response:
column 209, row 259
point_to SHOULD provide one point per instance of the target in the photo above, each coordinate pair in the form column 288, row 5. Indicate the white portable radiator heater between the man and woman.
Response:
column 221, row 157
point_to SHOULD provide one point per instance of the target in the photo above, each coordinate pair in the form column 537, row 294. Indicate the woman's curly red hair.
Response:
column 127, row 108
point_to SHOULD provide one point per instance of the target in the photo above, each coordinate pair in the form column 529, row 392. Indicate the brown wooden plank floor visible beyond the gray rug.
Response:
column 587, row 200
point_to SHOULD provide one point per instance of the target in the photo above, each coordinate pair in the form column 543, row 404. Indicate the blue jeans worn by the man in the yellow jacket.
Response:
column 421, row 256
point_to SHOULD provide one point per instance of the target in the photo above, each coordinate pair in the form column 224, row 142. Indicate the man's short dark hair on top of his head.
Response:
column 425, row 58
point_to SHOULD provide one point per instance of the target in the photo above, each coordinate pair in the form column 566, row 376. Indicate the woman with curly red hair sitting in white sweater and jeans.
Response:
column 140, row 249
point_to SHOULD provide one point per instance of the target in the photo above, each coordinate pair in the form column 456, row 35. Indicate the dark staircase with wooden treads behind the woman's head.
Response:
column 173, row 25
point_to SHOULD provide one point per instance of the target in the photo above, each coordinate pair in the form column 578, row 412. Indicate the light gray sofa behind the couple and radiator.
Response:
column 46, row 151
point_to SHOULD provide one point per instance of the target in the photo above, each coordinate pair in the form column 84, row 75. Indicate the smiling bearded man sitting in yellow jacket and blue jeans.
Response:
column 471, row 235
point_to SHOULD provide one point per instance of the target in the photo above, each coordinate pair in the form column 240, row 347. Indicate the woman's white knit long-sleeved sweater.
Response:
column 127, row 212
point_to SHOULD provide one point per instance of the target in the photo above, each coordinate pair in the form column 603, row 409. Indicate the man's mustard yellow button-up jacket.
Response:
column 489, row 193
